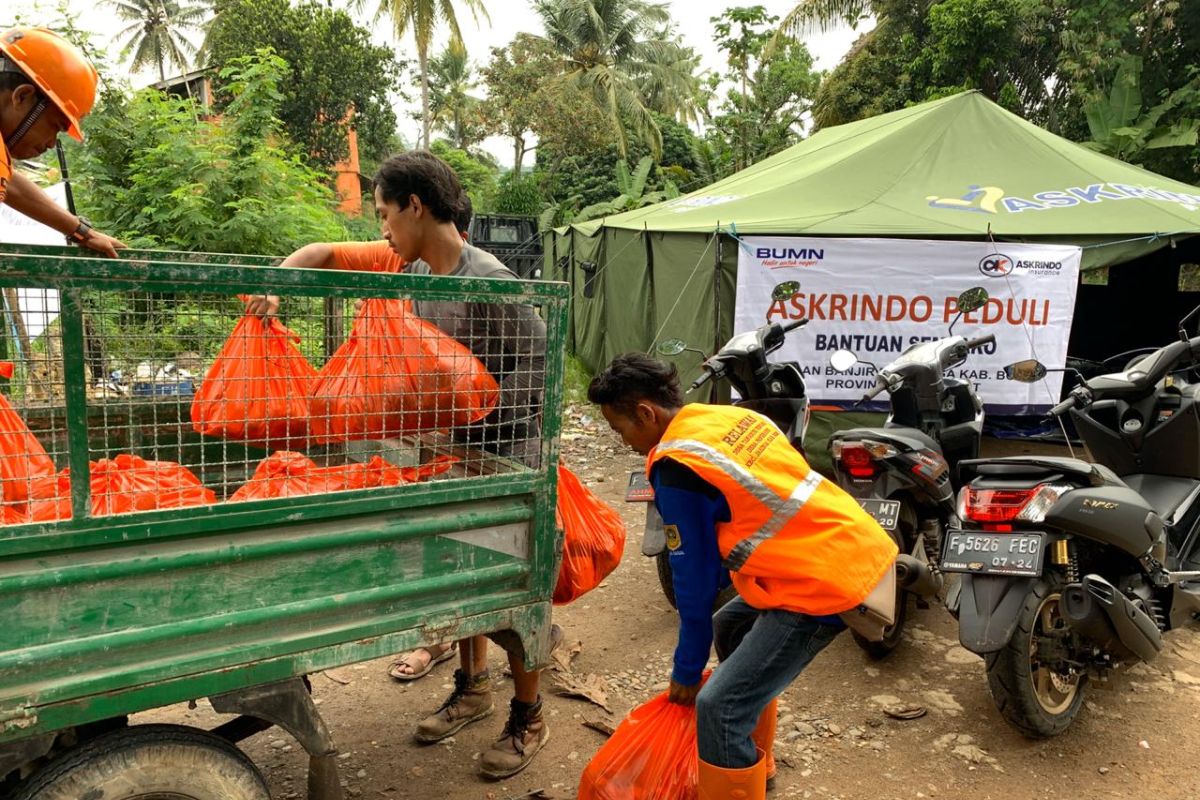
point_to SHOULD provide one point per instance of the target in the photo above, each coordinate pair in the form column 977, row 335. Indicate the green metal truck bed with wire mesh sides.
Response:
column 110, row 616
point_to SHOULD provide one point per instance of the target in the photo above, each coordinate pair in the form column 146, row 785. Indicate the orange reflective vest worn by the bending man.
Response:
column 795, row 540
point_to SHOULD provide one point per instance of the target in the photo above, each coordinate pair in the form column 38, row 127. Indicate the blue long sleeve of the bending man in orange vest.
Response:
column 692, row 508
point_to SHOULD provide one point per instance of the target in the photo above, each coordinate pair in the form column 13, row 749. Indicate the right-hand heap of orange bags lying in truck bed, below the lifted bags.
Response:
column 292, row 474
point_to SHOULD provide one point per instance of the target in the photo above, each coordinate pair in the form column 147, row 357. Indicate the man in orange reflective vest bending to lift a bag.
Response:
column 740, row 503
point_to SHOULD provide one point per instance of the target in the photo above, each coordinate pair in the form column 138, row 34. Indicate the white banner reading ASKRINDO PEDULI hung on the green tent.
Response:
column 878, row 297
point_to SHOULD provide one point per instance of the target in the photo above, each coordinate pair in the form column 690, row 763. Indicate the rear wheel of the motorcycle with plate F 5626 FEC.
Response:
column 1040, row 700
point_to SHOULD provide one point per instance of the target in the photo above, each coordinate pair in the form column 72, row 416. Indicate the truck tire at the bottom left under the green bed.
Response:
column 151, row 762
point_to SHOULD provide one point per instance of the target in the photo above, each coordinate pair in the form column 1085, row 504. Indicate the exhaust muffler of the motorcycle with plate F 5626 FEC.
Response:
column 1103, row 615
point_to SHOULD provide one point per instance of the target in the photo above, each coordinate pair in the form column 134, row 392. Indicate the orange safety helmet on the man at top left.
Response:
column 58, row 68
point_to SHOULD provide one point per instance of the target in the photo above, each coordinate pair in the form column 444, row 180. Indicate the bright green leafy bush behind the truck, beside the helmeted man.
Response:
column 157, row 176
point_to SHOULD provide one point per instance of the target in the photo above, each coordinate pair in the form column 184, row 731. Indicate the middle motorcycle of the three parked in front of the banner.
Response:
column 903, row 473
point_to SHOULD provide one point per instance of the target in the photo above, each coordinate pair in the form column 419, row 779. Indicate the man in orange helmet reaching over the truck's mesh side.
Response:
column 47, row 87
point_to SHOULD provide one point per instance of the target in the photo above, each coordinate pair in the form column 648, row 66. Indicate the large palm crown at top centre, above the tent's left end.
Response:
column 613, row 50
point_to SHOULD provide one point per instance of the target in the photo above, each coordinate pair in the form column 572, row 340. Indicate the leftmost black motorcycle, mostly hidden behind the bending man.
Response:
column 775, row 390
